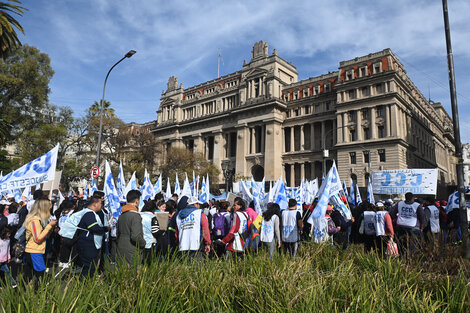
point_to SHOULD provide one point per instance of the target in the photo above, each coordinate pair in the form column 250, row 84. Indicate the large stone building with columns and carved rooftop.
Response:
column 262, row 121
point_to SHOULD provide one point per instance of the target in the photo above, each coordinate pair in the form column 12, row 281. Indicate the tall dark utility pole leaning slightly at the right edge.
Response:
column 457, row 142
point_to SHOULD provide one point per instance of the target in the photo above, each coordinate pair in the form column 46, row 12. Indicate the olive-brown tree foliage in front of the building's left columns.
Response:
column 183, row 161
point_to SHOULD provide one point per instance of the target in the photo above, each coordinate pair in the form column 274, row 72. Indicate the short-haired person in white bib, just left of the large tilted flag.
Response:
column 292, row 226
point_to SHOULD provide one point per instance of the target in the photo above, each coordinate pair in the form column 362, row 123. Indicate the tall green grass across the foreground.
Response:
column 320, row 278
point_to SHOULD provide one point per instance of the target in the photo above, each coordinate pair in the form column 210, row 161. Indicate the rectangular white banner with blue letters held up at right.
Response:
column 417, row 181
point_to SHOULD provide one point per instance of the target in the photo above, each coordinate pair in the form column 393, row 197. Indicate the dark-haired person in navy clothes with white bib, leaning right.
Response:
column 90, row 237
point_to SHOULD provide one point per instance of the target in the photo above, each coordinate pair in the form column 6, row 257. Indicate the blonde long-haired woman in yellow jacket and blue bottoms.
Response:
column 37, row 228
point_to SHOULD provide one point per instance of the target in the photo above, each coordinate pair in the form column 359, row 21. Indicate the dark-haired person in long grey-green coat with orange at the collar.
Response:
column 130, row 237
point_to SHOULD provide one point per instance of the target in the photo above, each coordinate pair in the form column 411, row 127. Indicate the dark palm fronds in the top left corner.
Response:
column 8, row 37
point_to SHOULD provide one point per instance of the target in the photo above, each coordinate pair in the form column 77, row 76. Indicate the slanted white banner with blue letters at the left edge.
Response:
column 35, row 172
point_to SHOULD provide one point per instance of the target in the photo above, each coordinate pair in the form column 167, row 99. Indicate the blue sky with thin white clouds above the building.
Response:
column 84, row 38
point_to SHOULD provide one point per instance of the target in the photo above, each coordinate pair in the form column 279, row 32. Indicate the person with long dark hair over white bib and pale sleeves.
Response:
column 270, row 230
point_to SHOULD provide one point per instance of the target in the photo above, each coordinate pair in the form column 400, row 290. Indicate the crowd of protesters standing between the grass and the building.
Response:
column 79, row 236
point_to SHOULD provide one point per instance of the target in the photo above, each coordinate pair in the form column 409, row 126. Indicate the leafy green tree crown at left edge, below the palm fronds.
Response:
column 24, row 90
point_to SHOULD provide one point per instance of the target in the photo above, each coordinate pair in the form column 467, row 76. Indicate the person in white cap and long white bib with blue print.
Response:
column 193, row 233
